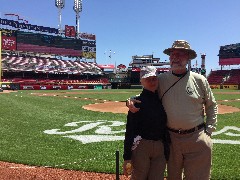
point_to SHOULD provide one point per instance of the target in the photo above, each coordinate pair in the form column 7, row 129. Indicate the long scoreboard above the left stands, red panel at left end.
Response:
column 16, row 40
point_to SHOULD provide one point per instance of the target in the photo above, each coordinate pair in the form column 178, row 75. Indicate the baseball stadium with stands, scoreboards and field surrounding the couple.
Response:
column 63, row 115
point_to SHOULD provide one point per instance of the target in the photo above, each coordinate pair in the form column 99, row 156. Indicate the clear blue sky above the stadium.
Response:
column 142, row 27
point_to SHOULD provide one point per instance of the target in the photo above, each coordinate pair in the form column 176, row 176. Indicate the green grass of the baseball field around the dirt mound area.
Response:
column 55, row 131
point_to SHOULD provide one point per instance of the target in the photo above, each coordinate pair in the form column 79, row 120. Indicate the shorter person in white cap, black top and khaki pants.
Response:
column 146, row 138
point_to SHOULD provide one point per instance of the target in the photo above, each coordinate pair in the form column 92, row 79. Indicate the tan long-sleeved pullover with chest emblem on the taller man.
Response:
column 188, row 101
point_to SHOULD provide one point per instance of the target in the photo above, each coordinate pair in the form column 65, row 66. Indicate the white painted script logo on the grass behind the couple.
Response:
column 103, row 131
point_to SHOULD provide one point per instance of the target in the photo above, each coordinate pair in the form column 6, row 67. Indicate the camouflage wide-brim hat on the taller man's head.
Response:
column 182, row 45
